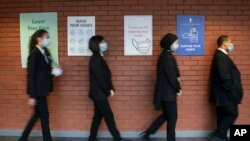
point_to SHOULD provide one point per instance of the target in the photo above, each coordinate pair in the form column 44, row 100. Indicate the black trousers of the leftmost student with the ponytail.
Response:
column 40, row 111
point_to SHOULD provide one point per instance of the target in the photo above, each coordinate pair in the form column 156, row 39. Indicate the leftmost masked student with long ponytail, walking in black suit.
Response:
column 39, row 83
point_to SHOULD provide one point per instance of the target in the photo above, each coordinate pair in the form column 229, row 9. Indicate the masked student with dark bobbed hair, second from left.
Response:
column 101, row 88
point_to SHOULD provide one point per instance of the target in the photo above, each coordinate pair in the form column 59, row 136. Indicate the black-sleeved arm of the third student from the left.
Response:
column 170, row 71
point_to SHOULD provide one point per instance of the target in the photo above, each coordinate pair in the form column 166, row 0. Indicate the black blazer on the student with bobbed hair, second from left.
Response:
column 100, row 78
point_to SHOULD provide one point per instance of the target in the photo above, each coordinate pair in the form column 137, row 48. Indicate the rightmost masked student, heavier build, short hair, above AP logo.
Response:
column 226, row 88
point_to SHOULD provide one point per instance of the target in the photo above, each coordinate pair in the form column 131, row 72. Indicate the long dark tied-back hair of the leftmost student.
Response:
column 33, row 38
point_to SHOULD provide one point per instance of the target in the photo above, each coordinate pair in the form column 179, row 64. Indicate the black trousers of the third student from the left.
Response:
column 169, row 115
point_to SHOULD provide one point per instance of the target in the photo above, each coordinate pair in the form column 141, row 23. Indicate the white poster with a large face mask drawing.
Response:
column 138, row 35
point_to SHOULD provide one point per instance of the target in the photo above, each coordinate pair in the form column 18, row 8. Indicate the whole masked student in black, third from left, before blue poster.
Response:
column 167, row 88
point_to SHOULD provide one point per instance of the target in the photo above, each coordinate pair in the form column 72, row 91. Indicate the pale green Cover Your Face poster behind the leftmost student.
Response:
column 29, row 23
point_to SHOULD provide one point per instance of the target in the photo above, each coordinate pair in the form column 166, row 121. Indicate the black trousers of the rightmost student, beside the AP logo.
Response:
column 226, row 116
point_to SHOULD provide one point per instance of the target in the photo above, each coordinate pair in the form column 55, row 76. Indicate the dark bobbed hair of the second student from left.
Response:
column 94, row 42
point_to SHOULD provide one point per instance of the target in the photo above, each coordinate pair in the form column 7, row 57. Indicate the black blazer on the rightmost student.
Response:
column 226, row 87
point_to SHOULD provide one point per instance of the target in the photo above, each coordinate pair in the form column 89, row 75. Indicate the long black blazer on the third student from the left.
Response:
column 167, row 84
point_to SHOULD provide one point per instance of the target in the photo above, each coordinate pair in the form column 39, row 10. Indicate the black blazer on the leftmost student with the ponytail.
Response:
column 39, row 74
